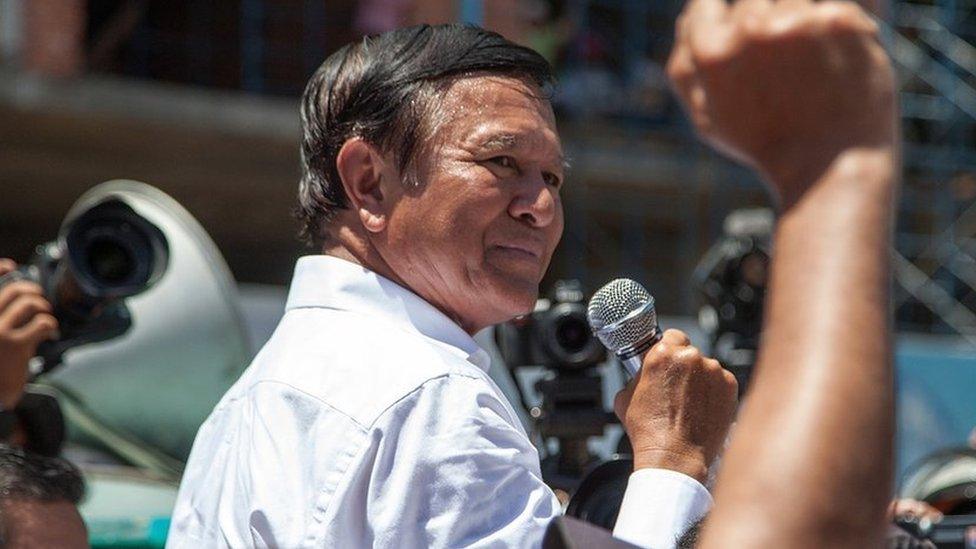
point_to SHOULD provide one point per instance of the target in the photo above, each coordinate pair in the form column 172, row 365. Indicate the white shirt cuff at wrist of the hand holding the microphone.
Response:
column 658, row 506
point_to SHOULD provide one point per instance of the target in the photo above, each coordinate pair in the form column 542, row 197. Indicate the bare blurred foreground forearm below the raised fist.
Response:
column 824, row 379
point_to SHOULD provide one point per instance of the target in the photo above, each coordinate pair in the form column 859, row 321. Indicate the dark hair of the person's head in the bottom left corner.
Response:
column 24, row 475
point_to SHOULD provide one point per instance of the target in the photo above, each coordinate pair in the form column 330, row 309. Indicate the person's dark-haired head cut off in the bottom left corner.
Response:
column 38, row 501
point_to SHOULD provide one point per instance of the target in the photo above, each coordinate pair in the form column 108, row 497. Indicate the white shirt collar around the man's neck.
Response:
column 333, row 283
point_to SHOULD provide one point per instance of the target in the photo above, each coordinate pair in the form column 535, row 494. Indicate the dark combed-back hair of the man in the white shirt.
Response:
column 381, row 90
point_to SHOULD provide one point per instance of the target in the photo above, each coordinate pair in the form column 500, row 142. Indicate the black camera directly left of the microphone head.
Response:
column 557, row 334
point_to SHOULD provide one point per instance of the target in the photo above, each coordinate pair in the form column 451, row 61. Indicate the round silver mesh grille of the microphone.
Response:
column 613, row 303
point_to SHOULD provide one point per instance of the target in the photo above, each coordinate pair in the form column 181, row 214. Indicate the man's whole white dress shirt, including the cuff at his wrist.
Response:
column 369, row 419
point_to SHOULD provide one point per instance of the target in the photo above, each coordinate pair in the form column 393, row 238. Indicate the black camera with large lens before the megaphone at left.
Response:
column 102, row 256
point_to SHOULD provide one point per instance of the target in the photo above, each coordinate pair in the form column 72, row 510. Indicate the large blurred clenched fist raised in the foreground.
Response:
column 785, row 86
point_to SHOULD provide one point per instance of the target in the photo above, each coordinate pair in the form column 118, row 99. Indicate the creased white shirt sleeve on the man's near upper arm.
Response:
column 452, row 471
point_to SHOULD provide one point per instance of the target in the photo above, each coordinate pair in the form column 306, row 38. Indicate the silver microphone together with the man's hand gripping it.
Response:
column 679, row 404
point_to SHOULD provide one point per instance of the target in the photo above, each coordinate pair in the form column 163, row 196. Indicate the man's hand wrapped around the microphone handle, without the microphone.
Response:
column 677, row 411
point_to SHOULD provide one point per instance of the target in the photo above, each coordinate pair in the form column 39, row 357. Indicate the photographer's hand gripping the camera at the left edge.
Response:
column 25, row 321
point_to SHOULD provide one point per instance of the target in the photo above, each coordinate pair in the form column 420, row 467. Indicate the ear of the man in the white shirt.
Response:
column 361, row 168
